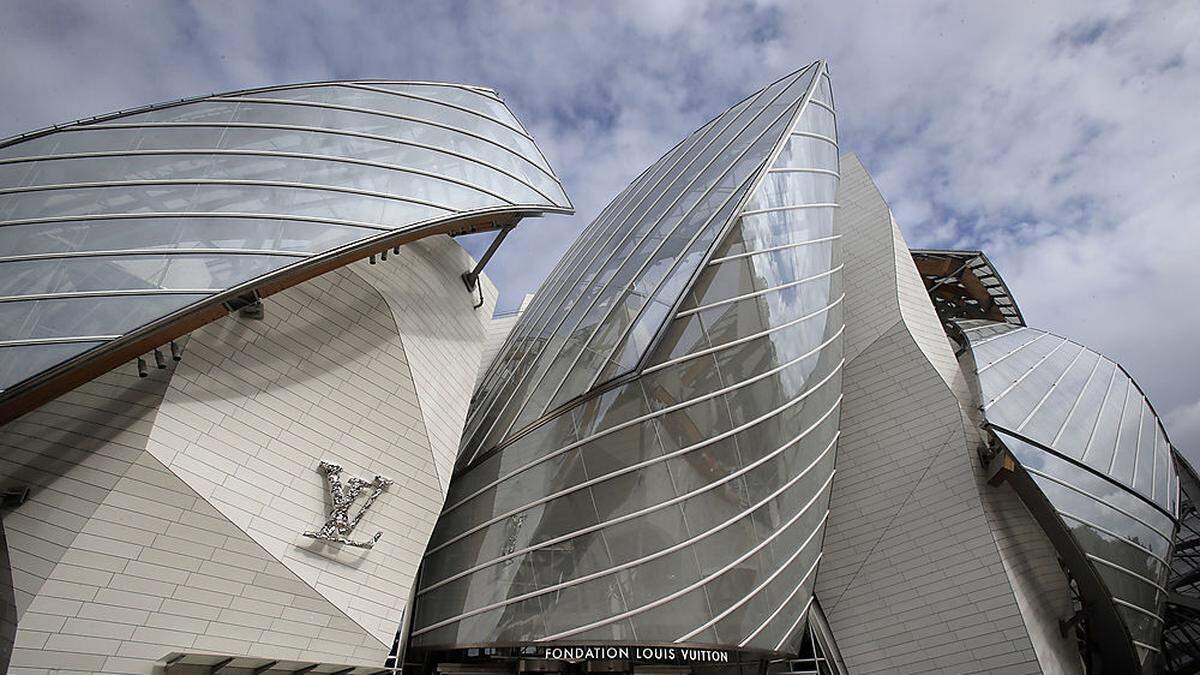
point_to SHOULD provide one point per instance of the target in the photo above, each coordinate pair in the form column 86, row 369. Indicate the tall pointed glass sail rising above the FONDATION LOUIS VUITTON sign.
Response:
column 686, row 503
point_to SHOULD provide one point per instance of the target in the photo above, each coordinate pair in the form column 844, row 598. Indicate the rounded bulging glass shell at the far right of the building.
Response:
column 1089, row 439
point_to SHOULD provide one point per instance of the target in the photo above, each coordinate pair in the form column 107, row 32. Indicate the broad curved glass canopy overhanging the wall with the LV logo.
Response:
column 110, row 225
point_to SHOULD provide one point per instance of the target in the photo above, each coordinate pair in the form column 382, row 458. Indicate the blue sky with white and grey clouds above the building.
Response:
column 1065, row 140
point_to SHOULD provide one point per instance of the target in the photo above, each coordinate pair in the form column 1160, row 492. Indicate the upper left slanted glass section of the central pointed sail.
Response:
column 597, row 313
